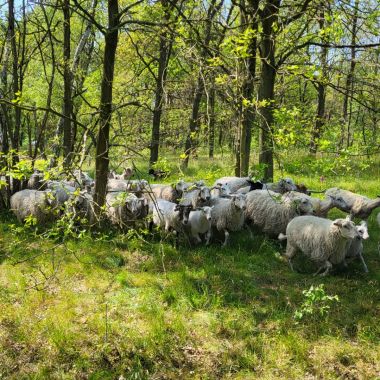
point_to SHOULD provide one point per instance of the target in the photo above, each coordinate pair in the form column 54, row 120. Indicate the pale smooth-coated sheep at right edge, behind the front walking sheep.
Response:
column 357, row 205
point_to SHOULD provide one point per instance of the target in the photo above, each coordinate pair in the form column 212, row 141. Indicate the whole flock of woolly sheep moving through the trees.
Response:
column 281, row 210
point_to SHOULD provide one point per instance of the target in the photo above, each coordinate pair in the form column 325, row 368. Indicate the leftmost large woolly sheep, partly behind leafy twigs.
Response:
column 38, row 204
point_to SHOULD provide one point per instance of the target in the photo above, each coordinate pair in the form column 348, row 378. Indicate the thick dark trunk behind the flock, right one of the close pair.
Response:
column 266, row 89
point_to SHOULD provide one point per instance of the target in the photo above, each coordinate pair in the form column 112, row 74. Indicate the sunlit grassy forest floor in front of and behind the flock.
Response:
column 114, row 305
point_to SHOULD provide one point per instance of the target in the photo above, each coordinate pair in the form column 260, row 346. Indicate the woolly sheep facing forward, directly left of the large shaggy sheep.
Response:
column 228, row 214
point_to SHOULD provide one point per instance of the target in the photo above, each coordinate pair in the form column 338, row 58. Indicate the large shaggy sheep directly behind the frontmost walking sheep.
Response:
column 267, row 211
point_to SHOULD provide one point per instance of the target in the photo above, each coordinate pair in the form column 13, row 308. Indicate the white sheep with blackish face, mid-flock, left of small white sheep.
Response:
column 170, row 216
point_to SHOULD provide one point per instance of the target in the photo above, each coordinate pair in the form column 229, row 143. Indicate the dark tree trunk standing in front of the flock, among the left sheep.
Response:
column 102, row 147
